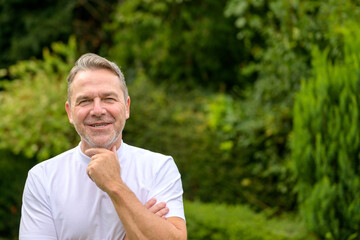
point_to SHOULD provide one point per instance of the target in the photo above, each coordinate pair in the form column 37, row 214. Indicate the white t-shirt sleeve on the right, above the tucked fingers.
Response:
column 167, row 187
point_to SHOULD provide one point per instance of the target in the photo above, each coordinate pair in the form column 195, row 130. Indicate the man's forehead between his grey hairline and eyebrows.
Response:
column 95, row 81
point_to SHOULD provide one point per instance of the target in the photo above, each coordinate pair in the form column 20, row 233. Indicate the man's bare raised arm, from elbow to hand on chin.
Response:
column 139, row 223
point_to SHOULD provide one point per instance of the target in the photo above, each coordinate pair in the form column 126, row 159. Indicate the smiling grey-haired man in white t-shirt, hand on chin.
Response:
column 103, row 188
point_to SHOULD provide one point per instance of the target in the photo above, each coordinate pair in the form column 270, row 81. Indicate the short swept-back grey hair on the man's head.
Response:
column 91, row 61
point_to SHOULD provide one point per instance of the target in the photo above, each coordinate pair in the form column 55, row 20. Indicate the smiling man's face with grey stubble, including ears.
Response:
column 97, row 108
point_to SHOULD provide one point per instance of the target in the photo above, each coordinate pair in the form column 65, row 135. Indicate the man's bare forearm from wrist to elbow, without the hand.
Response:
column 138, row 222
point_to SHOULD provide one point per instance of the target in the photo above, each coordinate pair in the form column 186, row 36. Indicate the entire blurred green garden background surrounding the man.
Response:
column 256, row 100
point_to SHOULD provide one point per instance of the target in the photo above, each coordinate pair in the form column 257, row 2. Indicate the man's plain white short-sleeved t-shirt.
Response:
column 61, row 202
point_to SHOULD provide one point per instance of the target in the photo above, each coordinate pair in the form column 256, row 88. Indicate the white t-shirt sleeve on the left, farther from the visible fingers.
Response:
column 36, row 218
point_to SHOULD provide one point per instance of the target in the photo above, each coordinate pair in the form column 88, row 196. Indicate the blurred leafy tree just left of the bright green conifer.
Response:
column 280, row 35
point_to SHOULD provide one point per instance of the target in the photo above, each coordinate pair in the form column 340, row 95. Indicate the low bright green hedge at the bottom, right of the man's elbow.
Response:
column 219, row 221
